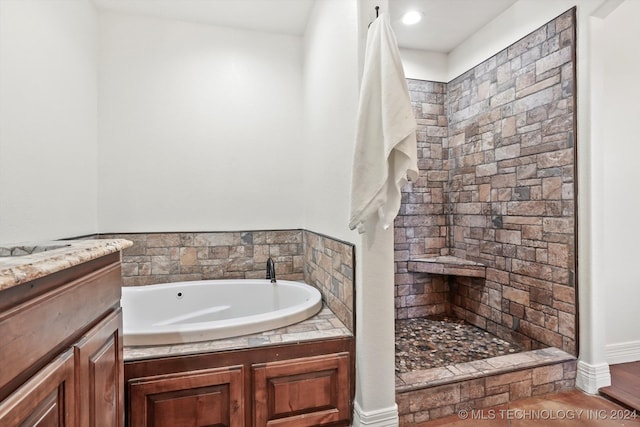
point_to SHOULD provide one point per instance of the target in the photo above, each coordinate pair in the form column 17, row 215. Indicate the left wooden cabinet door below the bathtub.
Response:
column 207, row 397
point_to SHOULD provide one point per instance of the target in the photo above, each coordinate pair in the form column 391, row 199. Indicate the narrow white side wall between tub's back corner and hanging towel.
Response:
column 331, row 98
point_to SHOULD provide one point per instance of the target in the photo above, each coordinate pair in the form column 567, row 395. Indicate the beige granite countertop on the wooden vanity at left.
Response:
column 24, row 262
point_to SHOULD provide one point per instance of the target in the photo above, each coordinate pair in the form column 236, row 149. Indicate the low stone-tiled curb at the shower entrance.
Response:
column 438, row 392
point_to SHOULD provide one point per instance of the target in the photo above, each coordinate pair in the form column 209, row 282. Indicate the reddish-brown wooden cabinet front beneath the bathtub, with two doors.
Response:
column 295, row 385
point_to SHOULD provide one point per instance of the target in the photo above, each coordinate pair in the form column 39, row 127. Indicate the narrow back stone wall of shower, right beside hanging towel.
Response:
column 421, row 228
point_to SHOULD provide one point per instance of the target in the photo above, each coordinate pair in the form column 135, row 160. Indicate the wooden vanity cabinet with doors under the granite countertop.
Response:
column 61, row 348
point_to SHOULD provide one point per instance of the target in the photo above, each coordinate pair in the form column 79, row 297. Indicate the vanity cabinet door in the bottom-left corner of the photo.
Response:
column 46, row 400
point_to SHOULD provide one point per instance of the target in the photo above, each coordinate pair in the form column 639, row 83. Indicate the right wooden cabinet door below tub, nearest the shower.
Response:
column 310, row 391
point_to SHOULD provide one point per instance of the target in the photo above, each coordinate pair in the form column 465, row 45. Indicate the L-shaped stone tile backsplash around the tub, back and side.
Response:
column 302, row 255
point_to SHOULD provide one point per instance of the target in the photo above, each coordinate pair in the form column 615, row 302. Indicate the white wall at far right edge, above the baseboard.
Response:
column 621, row 175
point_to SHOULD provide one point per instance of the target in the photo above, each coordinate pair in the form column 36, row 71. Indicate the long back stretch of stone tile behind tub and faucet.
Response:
column 174, row 257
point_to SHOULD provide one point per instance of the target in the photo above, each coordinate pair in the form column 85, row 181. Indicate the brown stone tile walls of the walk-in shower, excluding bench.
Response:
column 497, row 161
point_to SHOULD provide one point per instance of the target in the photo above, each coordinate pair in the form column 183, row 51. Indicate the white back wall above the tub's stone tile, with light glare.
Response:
column 200, row 127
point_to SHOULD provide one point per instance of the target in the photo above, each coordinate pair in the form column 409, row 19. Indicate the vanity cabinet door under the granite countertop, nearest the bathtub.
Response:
column 100, row 374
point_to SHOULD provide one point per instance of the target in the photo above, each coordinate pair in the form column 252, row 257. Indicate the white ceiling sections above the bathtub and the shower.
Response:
column 445, row 23
